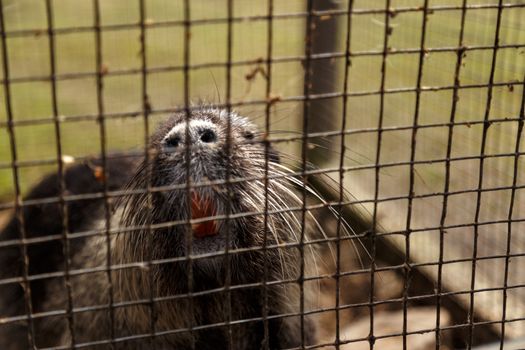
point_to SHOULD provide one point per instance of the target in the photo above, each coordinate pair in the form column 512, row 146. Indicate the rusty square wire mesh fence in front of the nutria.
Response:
column 375, row 233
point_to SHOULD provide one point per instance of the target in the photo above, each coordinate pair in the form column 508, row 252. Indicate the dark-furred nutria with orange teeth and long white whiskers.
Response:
column 153, row 286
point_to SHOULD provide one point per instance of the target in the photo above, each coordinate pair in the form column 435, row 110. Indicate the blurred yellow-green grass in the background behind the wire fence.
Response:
column 75, row 53
